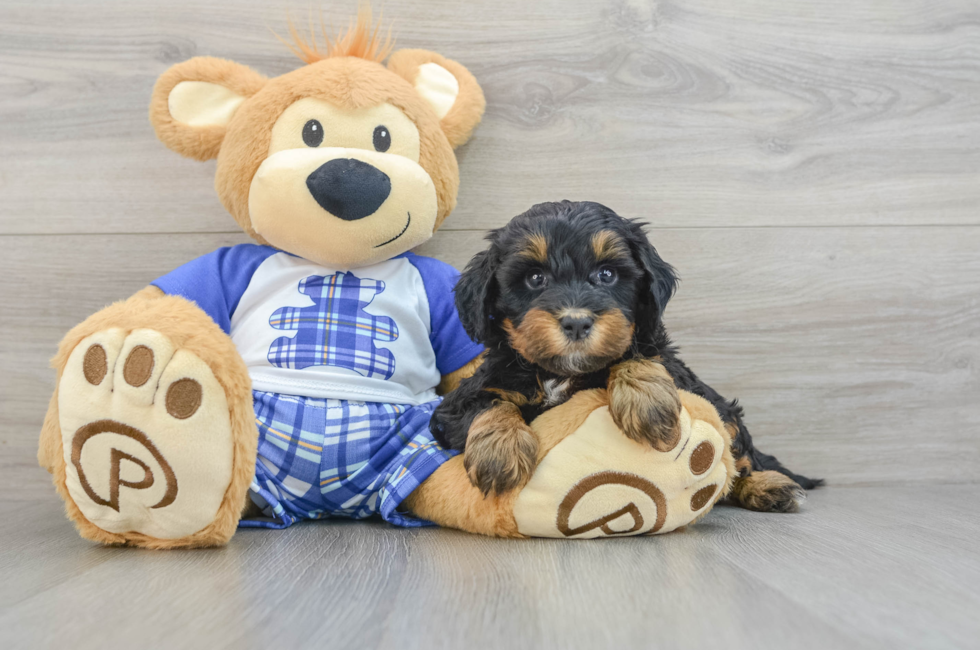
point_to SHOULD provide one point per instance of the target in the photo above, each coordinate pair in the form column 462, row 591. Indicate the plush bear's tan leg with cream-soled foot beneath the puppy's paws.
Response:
column 592, row 480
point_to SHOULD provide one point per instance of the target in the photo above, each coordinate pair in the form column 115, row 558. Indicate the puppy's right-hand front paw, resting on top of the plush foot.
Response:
column 644, row 403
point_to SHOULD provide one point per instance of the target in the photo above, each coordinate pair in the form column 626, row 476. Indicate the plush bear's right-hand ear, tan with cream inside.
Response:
column 447, row 86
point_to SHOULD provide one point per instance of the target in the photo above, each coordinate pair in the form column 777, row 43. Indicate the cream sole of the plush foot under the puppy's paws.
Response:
column 597, row 482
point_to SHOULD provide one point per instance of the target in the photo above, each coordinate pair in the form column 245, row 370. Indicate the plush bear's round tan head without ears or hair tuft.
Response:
column 341, row 162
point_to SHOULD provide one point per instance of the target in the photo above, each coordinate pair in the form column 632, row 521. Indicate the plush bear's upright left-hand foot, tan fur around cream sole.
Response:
column 150, row 435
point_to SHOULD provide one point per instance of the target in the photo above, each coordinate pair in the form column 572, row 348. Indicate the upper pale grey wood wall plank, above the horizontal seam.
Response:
column 687, row 113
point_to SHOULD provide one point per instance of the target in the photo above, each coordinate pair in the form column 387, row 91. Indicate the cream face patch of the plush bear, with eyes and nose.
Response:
column 361, row 166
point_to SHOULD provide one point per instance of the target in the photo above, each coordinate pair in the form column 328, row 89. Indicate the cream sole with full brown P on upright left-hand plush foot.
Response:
column 146, row 435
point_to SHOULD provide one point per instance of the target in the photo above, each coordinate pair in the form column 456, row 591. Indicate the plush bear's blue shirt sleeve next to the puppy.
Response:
column 452, row 345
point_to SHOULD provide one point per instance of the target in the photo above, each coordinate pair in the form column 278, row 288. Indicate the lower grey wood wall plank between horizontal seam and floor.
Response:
column 855, row 351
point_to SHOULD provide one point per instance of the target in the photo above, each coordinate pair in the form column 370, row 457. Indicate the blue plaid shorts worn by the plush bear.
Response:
column 322, row 458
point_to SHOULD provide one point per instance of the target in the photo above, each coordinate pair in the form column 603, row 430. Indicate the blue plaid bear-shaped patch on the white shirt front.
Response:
column 336, row 330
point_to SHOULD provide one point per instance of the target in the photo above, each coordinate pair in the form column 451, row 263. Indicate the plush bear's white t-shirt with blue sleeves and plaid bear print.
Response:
column 380, row 333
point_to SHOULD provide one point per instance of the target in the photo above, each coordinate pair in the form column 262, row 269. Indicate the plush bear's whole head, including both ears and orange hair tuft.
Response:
column 344, row 161
